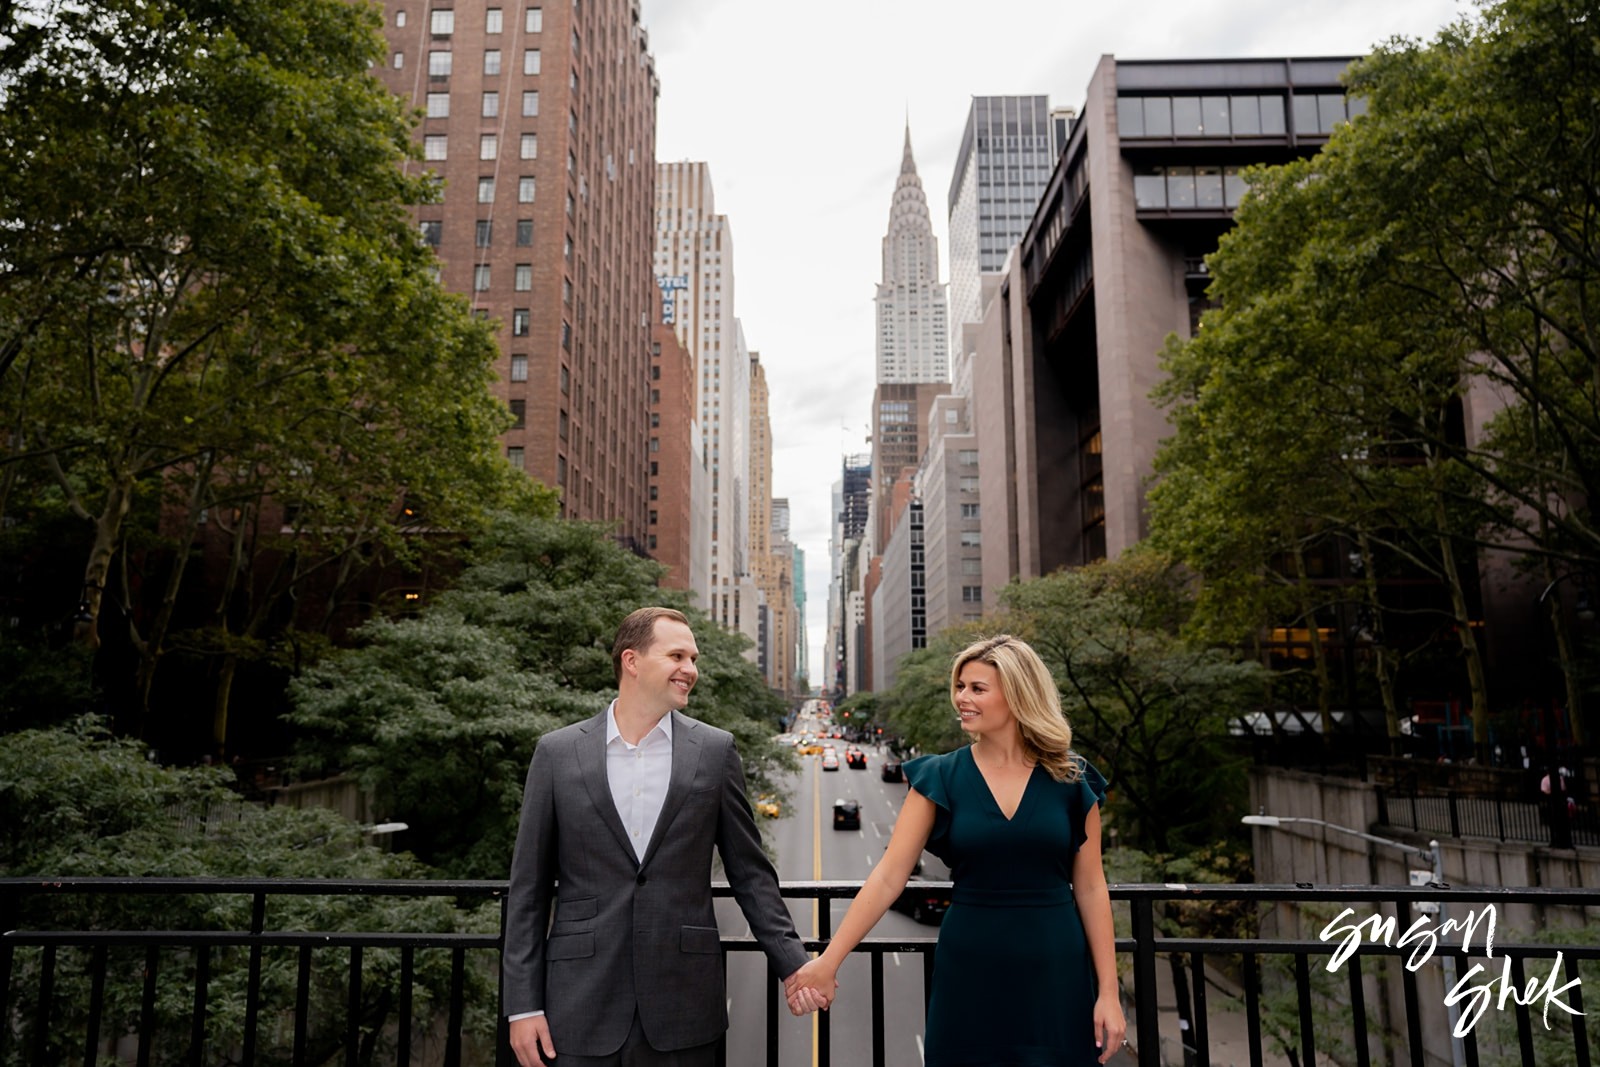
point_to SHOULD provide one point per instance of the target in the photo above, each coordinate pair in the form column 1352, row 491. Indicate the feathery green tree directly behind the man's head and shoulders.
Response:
column 439, row 714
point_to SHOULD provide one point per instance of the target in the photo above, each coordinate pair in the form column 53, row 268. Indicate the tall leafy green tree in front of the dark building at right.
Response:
column 1402, row 366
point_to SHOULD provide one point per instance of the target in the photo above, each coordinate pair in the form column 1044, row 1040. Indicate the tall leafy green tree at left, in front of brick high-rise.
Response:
column 218, row 302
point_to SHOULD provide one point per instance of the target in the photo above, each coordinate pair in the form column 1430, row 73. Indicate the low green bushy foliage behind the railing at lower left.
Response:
column 81, row 804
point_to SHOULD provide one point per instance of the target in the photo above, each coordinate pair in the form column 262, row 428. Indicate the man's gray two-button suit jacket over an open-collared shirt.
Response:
column 634, row 935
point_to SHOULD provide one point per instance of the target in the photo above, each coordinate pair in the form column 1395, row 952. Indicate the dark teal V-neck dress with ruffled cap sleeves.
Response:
column 1014, row 985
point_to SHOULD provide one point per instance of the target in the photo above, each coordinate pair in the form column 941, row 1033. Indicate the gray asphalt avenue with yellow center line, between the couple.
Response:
column 809, row 849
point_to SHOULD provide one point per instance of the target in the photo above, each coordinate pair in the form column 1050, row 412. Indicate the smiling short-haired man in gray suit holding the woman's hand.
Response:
column 618, row 821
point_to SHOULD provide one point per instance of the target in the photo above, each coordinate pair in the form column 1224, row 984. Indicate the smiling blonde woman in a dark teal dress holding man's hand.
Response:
column 1025, row 973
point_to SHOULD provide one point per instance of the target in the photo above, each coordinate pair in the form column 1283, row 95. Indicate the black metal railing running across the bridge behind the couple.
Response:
column 383, row 988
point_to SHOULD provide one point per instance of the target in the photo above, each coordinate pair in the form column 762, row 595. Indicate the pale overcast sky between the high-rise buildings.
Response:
column 801, row 111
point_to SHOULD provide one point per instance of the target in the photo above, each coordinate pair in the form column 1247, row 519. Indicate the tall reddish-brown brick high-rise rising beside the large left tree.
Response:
column 542, row 122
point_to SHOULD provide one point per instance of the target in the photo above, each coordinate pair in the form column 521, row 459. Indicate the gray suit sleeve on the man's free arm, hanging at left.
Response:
column 532, row 882
